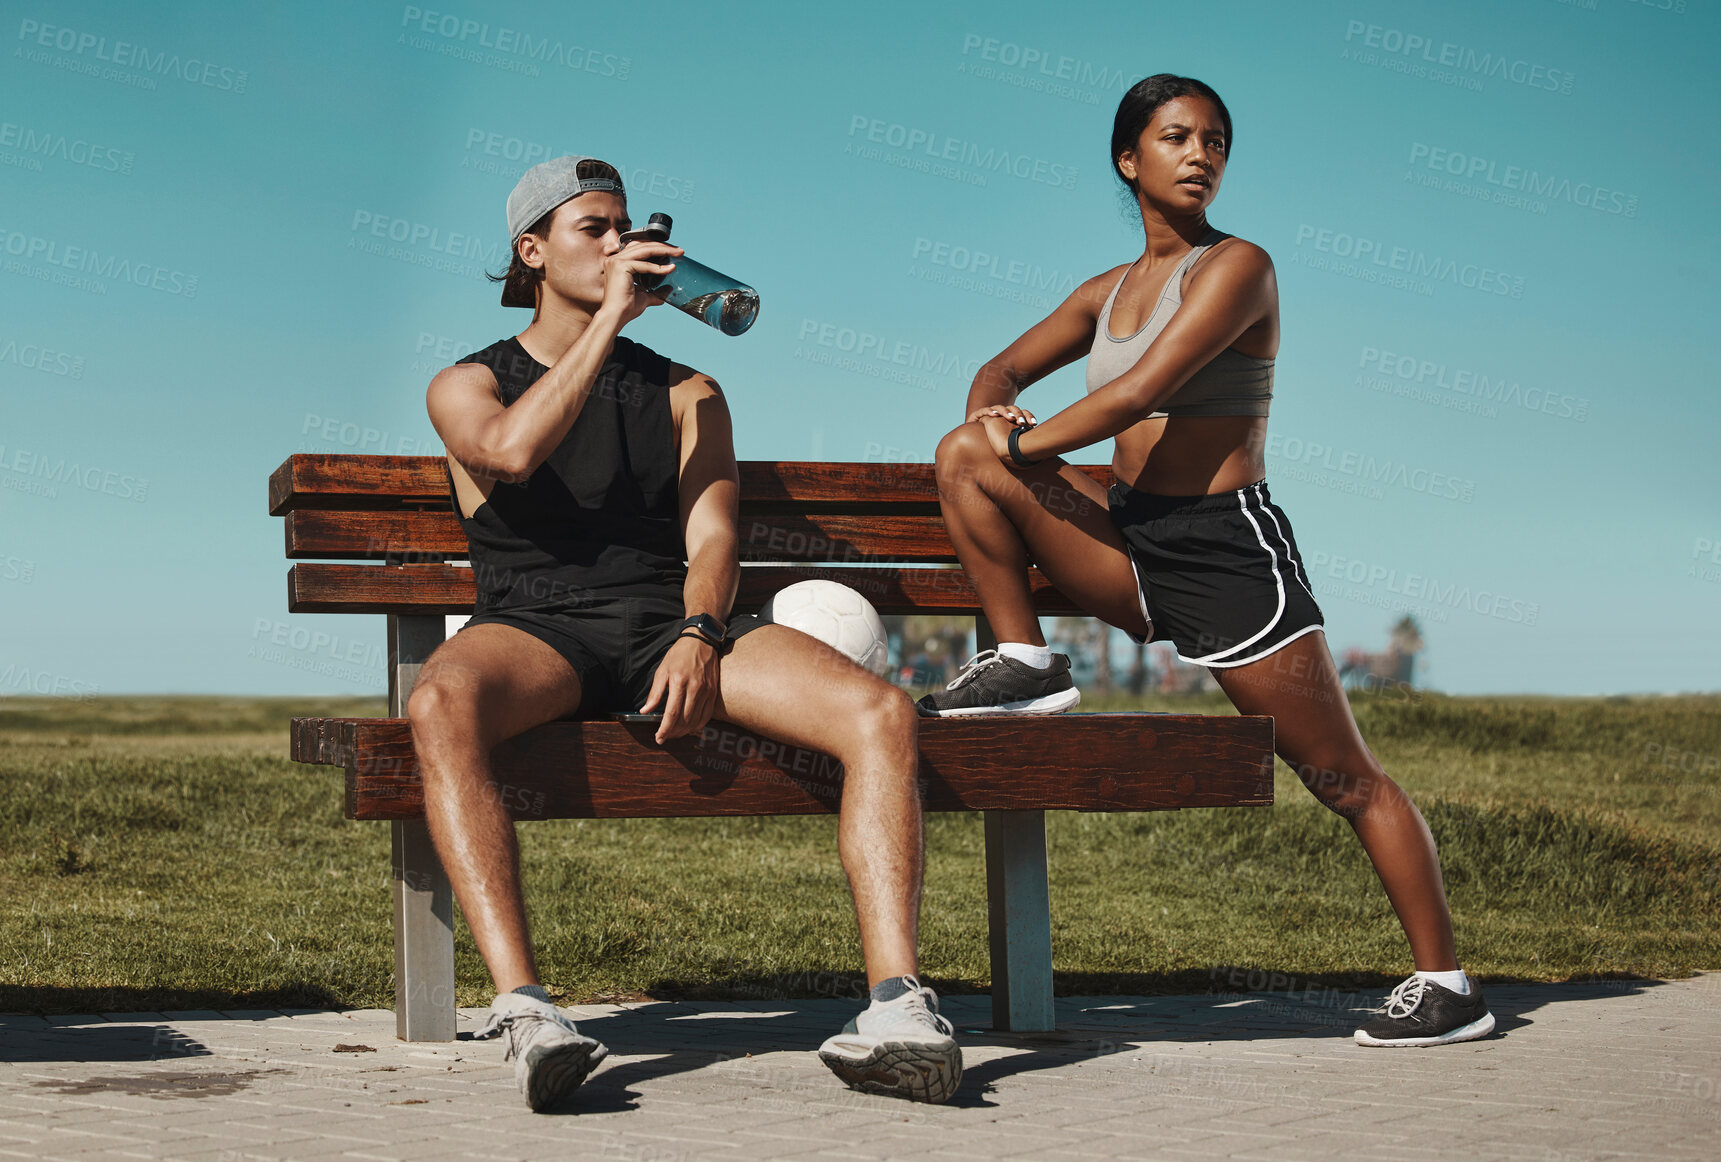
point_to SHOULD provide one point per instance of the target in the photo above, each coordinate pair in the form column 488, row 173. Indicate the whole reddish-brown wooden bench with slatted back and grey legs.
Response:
column 868, row 526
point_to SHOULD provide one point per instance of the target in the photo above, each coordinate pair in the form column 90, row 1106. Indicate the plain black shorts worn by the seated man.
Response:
column 612, row 643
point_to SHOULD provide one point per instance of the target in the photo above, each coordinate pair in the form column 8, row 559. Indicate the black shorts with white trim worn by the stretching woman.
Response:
column 1219, row 574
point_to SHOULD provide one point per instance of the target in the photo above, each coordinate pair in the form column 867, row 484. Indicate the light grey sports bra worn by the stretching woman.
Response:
column 1230, row 385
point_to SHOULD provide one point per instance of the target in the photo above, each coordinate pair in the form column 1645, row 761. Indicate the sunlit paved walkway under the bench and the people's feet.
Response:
column 1627, row 1070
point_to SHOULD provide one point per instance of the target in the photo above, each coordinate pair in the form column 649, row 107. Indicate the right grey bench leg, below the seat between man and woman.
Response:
column 1020, row 913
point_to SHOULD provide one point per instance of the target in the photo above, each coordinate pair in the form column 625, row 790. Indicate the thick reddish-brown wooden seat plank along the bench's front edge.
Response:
column 601, row 770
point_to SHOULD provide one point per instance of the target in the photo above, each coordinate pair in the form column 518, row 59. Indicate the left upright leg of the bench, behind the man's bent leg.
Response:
column 424, row 903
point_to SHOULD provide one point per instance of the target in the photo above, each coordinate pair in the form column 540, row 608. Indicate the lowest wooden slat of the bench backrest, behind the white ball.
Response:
column 319, row 588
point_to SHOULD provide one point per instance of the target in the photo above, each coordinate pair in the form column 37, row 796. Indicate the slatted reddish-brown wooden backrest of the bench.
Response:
column 868, row 526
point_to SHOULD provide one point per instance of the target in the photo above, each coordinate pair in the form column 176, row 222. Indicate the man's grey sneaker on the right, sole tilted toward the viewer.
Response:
column 899, row 1048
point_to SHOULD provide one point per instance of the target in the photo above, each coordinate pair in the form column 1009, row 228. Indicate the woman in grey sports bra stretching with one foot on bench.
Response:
column 1187, row 545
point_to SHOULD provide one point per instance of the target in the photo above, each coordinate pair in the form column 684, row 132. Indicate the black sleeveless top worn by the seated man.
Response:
column 601, row 516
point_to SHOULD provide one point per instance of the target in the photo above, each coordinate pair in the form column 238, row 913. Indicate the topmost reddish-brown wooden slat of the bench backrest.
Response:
column 318, row 481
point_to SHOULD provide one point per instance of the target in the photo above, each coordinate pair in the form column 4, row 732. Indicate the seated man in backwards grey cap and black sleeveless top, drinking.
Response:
column 598, row 490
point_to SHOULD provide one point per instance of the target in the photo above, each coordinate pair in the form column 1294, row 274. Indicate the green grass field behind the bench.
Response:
column 164, row 855
